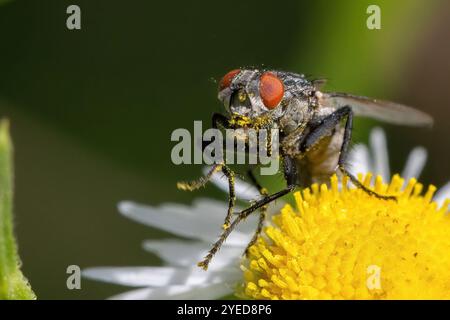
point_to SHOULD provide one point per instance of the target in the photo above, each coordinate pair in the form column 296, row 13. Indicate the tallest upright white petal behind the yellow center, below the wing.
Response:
column 379, row 149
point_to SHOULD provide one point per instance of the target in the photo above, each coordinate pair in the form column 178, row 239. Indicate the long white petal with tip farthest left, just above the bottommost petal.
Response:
column 158, row 276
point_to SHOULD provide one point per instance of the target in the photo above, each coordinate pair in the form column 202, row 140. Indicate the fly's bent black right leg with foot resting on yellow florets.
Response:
column 325, row 128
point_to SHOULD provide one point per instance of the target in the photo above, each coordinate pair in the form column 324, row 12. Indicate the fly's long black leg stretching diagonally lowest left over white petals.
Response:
column 290, row 173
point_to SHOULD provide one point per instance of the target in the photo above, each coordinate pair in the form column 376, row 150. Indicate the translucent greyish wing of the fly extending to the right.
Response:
column 386, row 111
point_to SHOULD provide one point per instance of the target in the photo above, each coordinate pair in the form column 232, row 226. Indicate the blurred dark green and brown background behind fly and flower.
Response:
column 92, row 110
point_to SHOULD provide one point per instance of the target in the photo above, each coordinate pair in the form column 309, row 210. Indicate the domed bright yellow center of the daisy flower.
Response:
column 346, row 244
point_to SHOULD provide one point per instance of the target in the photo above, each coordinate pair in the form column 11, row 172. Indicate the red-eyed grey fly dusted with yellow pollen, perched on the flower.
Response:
column 315, row 130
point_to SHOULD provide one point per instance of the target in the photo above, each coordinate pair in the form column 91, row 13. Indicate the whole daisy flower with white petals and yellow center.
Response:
column 319, row 249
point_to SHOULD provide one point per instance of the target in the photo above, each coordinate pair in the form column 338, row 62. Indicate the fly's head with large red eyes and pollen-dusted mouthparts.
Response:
column 263, row 99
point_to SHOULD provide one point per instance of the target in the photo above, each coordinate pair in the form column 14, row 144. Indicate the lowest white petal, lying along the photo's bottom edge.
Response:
column 205, row 292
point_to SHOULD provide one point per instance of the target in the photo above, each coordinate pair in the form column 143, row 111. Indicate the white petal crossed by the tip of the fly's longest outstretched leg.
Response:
column 187, row 254
